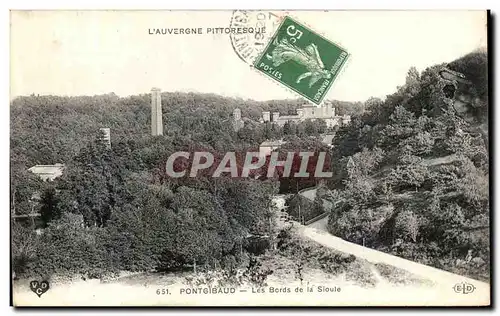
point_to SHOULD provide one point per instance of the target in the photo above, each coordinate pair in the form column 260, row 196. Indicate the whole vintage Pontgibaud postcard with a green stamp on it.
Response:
column 249, row 158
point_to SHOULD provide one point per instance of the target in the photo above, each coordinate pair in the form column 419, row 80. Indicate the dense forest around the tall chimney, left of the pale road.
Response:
column 114, row 209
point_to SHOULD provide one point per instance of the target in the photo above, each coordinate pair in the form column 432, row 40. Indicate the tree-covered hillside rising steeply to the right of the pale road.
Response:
column 411, row 176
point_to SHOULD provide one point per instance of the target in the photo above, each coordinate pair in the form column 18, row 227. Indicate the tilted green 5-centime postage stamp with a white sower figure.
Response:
column 302, row 60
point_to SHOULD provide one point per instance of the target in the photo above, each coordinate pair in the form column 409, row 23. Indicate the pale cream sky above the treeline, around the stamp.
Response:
column 98, row 52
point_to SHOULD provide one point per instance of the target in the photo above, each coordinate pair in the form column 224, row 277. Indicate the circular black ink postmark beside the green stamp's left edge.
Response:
column 248, row 46
